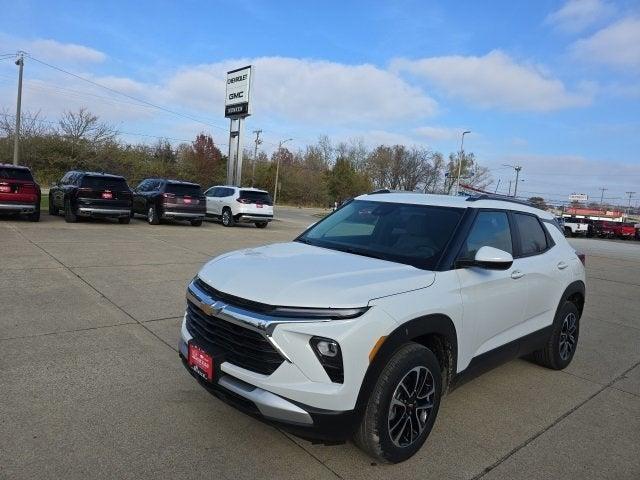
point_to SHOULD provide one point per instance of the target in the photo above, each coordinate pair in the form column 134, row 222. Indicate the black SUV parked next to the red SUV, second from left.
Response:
column 91, row 194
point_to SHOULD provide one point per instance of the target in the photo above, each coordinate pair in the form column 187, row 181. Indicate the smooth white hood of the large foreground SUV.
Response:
column 296, row 274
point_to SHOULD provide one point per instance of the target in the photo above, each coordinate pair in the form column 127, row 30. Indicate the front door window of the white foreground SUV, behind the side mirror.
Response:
column 491, row 229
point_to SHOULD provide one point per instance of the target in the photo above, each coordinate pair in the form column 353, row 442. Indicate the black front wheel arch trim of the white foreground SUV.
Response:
column 436, row 332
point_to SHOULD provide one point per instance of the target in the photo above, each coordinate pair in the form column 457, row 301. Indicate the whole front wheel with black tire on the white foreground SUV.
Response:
column 379, row 433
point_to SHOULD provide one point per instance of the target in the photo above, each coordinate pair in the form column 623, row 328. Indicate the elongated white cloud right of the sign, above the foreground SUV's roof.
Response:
column 495, row 80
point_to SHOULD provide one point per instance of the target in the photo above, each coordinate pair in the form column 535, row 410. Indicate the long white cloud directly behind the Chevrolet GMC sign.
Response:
column 309, row 91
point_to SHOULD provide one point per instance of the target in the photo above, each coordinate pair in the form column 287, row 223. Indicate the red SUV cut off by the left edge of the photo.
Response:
column 19, row 192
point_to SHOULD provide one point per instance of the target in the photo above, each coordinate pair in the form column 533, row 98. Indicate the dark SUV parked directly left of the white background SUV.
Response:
column 161, row 198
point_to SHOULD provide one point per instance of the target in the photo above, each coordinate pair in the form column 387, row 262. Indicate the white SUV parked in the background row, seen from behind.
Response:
column 235, row 204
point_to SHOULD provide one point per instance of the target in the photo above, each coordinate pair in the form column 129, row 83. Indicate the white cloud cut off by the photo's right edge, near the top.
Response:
column 617, row 45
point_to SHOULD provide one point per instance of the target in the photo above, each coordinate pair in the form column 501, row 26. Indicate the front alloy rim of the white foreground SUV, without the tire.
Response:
column 411, row 404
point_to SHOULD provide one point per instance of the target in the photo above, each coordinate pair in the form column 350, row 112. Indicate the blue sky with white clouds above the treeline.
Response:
column 551, row 85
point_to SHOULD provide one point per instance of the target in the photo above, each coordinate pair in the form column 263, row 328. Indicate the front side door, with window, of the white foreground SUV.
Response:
column 493, row 300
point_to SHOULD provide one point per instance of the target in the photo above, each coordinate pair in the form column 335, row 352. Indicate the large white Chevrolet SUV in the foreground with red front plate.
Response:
column 359, row 326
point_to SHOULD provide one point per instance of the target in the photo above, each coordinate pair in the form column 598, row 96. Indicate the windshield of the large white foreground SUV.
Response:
column 412, row 234
